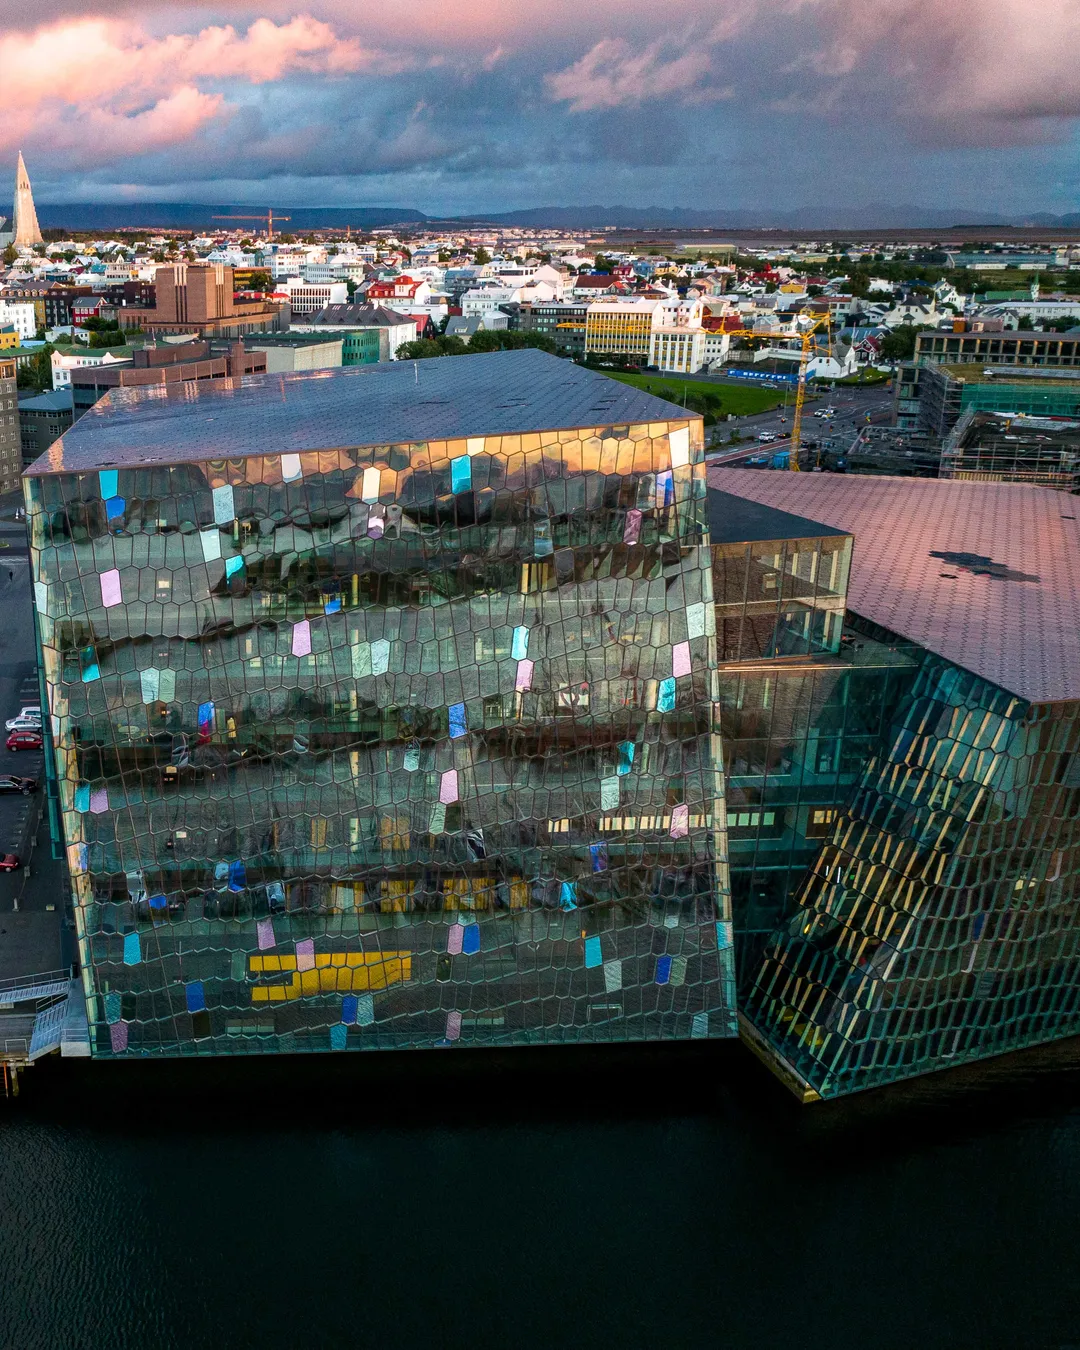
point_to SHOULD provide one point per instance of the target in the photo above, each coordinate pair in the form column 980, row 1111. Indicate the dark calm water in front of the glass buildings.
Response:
column 659, row 1197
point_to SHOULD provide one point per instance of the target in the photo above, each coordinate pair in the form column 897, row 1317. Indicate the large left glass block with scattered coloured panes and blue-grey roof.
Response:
column 384, row 711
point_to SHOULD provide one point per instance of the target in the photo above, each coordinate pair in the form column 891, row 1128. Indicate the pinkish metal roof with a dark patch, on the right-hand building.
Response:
column 983, row 574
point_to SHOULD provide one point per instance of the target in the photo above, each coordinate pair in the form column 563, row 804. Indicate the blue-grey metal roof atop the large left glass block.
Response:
column 502, row 394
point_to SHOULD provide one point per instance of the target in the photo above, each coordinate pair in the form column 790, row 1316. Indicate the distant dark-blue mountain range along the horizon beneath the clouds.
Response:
column 182, row 215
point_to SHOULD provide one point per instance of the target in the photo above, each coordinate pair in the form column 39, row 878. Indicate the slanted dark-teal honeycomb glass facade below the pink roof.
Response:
column 940, row 921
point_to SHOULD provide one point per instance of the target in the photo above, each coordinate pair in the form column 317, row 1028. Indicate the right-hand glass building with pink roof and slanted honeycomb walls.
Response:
column 940, row 920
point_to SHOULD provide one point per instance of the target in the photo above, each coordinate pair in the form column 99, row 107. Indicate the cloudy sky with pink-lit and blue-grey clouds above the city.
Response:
column 456, row 106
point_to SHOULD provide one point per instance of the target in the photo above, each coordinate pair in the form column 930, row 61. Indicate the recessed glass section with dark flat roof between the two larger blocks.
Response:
column 804, row 701
